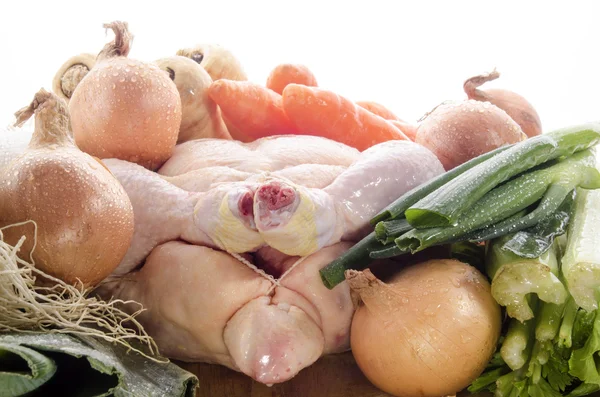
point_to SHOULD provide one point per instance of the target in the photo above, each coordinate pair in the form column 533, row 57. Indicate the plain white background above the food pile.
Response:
column 407, row 55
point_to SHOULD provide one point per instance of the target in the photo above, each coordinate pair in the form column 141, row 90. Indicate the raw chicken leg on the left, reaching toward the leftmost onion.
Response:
column 219, row 218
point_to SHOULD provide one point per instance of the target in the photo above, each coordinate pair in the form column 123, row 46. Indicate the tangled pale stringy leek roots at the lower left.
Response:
column 62, row 308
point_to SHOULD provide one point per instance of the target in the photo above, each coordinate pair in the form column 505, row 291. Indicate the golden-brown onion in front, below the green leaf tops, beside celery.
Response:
column 428, row 332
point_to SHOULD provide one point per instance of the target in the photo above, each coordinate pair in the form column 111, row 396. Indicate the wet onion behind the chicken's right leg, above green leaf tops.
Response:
column 457, row 132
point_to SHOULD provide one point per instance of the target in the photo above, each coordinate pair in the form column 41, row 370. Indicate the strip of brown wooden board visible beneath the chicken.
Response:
column 332, row 376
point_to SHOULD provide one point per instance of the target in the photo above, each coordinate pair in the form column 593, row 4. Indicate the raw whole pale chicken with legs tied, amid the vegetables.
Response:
column 229, row 239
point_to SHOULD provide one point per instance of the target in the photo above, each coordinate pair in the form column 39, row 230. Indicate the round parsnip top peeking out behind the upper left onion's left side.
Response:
column 70, row 74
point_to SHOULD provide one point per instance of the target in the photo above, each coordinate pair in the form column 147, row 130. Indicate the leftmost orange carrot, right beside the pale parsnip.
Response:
column 255, row 111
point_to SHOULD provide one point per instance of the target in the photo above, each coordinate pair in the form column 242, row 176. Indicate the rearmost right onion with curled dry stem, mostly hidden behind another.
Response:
column 517, row 107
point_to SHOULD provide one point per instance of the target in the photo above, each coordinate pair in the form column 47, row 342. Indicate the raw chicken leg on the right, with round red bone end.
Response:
column 299, row 221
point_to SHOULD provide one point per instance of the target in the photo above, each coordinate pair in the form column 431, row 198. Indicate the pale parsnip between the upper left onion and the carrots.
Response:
column 200, row 115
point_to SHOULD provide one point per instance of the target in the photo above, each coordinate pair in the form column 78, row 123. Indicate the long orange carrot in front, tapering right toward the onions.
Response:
column 316, row 111
